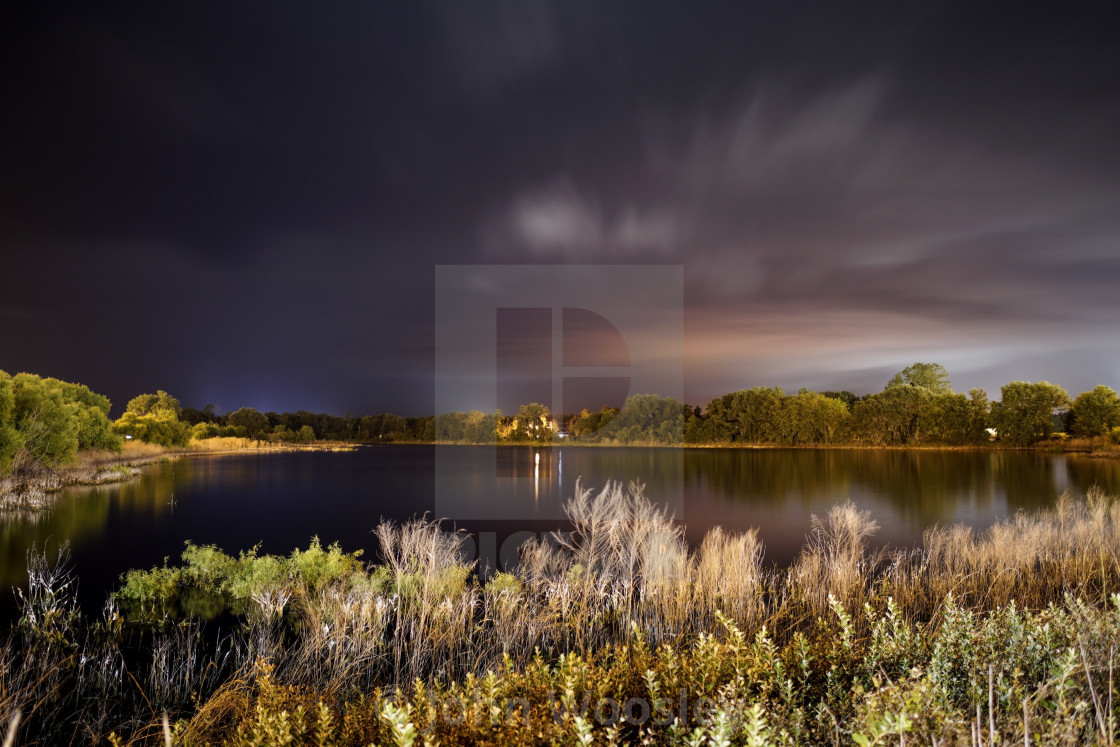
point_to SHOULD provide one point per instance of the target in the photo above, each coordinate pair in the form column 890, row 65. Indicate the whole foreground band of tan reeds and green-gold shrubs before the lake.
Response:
column 975, row 638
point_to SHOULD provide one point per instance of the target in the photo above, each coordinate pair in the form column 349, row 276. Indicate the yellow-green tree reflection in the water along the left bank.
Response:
column 83, row 512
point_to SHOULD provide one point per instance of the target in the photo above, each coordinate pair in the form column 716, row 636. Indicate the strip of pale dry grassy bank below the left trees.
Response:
column 32, row 488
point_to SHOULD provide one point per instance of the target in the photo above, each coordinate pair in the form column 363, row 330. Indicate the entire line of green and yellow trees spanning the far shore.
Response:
column 45, row 422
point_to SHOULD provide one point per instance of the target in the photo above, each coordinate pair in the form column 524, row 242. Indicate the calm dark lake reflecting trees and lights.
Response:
column 501, row 496
